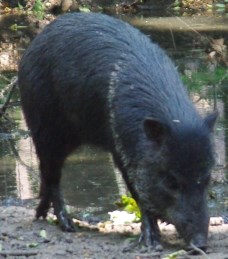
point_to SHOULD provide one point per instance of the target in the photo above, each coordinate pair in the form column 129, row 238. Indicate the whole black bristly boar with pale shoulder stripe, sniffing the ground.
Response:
column 93, row 79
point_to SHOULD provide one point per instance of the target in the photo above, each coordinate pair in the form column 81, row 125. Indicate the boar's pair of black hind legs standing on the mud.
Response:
column 51, row 163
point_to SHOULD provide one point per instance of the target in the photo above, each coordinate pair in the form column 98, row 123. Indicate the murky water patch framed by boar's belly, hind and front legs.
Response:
column 89, row 181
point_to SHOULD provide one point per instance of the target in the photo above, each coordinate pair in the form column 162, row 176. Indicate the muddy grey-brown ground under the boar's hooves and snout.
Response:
column 22, row 237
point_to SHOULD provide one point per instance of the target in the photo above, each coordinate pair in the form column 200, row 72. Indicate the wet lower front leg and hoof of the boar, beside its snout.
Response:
column 150, row 235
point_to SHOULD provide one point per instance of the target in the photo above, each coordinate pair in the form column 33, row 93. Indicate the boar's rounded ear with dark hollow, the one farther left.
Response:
column 155, row 130
